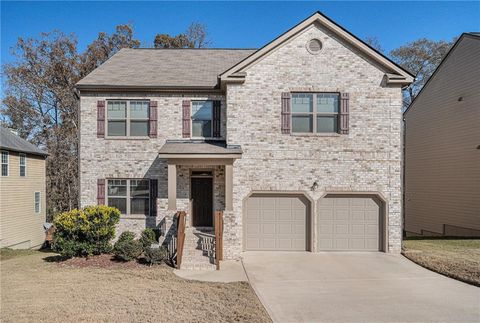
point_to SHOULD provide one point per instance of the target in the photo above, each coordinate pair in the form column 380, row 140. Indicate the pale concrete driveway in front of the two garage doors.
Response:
column 356, row 287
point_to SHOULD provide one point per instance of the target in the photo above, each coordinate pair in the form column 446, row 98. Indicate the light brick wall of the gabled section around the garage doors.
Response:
column 368, row 159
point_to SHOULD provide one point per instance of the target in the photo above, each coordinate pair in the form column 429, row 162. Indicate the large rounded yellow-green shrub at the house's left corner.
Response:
column 85, row 232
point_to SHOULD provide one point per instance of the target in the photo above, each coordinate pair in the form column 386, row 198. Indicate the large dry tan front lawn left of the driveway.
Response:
column 36, row 290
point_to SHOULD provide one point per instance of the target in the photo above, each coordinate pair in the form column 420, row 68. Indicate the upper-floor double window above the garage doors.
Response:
column 315, row 112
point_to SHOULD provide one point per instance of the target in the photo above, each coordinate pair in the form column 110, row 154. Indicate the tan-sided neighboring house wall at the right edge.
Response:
column 442, row 147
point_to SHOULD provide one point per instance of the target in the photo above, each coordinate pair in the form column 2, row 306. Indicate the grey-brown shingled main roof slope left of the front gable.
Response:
column 166, row 68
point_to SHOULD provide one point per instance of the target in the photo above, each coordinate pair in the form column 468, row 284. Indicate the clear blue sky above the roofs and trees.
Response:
column 237, row 24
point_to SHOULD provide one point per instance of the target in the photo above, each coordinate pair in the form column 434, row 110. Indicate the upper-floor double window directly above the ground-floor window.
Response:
column 127, row 118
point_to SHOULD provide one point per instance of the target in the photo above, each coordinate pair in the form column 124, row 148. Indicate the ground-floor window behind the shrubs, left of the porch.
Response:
column 130, row 196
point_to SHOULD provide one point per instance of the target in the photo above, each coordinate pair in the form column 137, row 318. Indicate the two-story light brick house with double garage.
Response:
column 298, row 142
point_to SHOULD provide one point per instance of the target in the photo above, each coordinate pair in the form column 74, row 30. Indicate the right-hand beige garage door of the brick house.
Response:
column 349, row 223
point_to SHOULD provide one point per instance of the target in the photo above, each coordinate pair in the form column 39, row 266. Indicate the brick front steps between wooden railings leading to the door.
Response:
column 199, row 249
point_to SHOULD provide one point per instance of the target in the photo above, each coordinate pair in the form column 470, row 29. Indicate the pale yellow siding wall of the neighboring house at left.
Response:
column 21, row 227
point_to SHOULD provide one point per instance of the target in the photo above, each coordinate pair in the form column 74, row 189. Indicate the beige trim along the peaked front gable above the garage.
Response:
column 400, row 75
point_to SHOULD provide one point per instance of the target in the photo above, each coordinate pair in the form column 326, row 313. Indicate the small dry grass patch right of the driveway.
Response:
column 455, row 258
